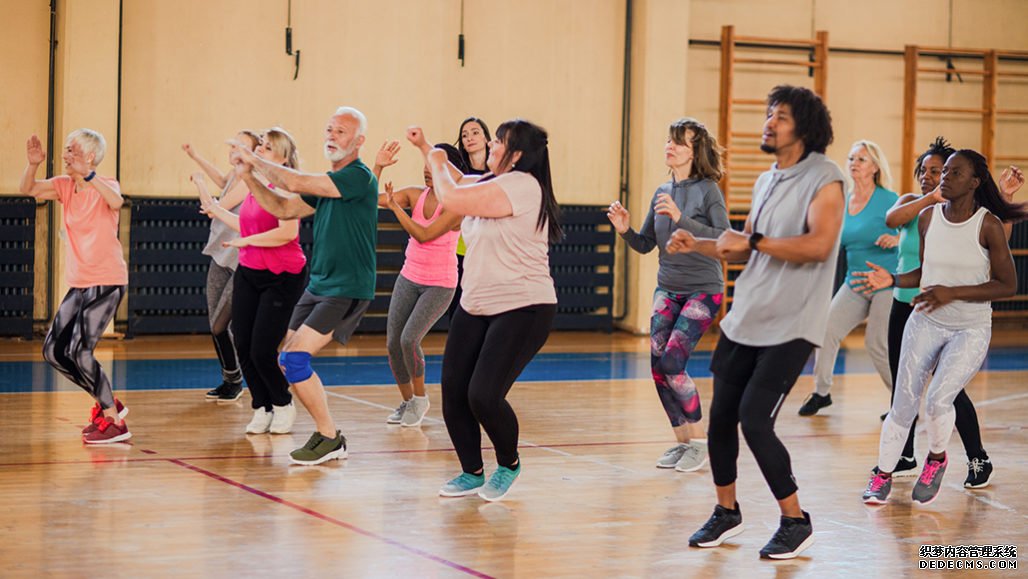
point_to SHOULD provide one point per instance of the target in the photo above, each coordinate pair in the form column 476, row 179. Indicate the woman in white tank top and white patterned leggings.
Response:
column 966, row 265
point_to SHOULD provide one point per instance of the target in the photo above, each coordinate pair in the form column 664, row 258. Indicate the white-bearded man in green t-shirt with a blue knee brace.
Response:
column 343, row 266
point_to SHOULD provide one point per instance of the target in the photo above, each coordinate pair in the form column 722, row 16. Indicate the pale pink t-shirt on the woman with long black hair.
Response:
column 508, row 266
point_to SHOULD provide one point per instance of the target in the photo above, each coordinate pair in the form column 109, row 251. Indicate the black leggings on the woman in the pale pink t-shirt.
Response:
column 484, row 357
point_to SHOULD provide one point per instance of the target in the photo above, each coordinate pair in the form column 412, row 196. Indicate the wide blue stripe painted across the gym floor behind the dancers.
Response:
column 363, row 371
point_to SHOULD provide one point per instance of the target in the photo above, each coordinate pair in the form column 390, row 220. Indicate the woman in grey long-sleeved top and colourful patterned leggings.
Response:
column 689, row 285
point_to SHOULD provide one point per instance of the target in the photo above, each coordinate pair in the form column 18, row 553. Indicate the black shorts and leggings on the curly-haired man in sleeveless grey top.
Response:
column 750, row 386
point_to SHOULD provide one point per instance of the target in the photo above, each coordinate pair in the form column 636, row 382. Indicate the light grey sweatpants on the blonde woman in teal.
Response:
column 849, row 310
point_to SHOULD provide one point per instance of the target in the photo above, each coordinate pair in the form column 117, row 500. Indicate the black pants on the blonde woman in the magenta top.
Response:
column 263, row 304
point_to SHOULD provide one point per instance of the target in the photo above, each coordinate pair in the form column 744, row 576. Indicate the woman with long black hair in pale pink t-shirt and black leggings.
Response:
column 509, row 302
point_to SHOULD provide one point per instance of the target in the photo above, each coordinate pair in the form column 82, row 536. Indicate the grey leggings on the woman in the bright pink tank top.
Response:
column 414, row 309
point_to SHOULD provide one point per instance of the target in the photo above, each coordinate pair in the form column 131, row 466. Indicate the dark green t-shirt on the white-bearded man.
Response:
column 343, row 264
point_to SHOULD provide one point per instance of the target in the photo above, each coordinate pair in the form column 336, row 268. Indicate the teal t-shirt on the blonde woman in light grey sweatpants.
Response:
column 862, row 231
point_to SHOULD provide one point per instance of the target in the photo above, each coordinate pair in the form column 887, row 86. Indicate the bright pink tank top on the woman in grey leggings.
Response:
column 432, row 264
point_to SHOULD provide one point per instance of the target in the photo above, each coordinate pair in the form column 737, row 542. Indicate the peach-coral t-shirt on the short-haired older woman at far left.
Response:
column 95, row 255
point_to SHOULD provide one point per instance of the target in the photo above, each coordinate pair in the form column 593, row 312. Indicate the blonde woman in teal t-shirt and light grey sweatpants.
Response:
column 865, row 238
